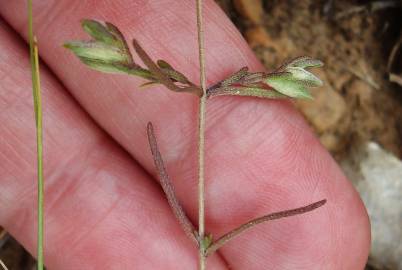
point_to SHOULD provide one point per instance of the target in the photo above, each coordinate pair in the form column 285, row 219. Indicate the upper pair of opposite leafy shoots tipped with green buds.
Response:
column 108, row 51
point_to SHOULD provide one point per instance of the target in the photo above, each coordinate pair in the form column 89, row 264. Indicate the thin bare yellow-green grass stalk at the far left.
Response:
column 39, row 138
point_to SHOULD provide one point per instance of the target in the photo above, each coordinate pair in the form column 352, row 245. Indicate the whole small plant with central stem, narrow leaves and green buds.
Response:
column 291, row 80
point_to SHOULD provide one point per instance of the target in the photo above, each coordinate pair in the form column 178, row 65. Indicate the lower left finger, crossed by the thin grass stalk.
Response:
column 101, row 210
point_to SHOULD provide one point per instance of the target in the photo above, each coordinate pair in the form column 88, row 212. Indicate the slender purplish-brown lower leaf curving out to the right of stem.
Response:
column 283, row 214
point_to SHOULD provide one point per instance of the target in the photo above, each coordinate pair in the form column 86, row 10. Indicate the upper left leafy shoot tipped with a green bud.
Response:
column 108, row 51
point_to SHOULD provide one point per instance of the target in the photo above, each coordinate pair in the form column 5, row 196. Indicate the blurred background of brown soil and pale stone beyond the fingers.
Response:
column 357, row 115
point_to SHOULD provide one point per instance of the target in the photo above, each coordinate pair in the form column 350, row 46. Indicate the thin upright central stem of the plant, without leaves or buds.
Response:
column 201, row 140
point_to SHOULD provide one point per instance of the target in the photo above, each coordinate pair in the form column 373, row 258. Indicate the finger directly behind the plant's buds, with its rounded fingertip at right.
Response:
column 260, row 155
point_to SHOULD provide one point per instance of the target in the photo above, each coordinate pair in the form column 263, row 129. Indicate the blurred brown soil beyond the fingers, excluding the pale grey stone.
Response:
column 354, row 39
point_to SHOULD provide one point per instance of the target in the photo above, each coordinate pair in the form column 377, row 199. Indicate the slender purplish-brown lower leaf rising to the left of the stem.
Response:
column 168, row 188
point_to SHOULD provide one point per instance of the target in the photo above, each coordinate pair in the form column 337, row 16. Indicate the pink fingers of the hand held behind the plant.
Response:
column 104, row 209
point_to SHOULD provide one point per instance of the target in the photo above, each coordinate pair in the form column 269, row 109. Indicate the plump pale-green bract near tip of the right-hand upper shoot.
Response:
column 286, row 84
